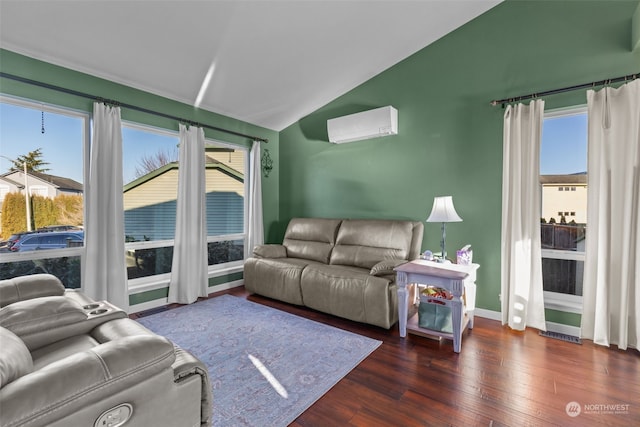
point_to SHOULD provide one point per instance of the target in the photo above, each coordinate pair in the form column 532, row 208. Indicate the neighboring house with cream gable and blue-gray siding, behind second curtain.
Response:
column 150, row 201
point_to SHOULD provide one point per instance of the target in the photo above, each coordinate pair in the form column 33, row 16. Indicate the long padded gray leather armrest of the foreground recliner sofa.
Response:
column 66, row 386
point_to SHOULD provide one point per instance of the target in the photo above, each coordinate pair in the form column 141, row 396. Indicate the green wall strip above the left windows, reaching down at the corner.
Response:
column 13, row 63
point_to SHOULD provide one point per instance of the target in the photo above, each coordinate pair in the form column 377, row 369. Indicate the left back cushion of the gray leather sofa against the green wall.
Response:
column 311, row 238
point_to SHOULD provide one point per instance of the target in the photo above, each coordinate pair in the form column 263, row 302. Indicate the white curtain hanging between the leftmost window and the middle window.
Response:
column 104, row 270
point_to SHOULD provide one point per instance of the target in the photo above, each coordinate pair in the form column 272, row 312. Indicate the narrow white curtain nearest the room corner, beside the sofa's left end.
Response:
column 255, row 229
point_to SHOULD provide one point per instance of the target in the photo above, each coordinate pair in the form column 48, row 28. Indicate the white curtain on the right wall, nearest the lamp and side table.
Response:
column 521, row 275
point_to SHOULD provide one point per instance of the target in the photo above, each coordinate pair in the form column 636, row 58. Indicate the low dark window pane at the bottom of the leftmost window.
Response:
column 67, row 269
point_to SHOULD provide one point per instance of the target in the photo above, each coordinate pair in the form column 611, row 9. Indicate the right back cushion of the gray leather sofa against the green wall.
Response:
column 364, row 243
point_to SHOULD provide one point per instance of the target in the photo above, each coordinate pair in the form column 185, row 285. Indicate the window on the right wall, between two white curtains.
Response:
column 563, row 160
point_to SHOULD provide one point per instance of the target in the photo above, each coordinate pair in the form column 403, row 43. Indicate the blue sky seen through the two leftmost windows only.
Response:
column 61, row 143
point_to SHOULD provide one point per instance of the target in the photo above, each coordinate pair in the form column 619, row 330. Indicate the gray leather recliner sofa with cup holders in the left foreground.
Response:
column 67, row 360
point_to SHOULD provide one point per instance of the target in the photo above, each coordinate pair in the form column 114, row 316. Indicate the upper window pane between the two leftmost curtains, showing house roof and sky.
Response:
column 150, row 174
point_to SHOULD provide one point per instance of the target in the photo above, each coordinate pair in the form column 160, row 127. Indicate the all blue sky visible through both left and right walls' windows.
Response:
column 563, row 149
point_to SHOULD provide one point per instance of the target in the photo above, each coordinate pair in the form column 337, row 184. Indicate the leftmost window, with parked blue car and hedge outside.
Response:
column 51, row 141
